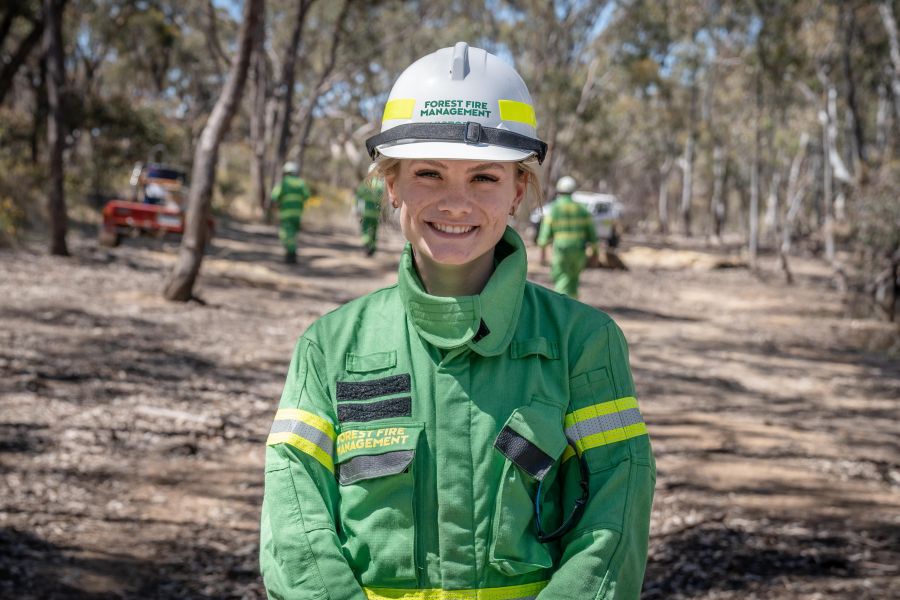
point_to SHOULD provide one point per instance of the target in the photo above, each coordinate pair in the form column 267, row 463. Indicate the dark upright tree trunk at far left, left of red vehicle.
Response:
column 56, row 137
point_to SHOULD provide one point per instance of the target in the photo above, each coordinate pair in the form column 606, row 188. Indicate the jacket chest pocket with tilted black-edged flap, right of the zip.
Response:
column 531, row 442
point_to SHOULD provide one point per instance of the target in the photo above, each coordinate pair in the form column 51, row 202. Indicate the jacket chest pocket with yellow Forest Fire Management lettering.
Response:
column 375, row 466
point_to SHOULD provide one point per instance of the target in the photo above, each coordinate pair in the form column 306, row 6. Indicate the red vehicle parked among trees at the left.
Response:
column 156, row 206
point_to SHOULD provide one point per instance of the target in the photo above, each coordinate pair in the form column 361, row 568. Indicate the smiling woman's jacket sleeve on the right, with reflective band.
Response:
column 604, row 556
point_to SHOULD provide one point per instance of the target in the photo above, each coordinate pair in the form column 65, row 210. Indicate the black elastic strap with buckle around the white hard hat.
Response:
column 469, row 133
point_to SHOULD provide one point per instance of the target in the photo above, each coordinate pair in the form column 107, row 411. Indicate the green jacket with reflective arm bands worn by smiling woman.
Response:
column 414, row 432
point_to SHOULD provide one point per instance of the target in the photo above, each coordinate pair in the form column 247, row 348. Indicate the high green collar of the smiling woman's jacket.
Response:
column 453, row 321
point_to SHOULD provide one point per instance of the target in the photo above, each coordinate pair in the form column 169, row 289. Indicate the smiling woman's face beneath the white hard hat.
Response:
column 454, row 212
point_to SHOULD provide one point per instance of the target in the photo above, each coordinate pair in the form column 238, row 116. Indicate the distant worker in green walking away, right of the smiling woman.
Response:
column 570, row 227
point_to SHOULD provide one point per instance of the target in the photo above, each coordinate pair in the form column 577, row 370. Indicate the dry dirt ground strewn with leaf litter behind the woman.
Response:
column 131, row 429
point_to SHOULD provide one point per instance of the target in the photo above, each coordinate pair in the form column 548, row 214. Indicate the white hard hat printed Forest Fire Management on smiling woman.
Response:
column 459, row 103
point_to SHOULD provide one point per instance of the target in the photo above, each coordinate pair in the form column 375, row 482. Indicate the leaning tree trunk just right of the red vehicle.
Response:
column 181, row 281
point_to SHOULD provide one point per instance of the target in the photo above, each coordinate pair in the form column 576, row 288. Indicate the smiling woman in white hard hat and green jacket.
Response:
column 464, row 433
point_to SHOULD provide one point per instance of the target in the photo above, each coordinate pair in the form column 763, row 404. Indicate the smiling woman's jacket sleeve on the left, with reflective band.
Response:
column 300, row 552
